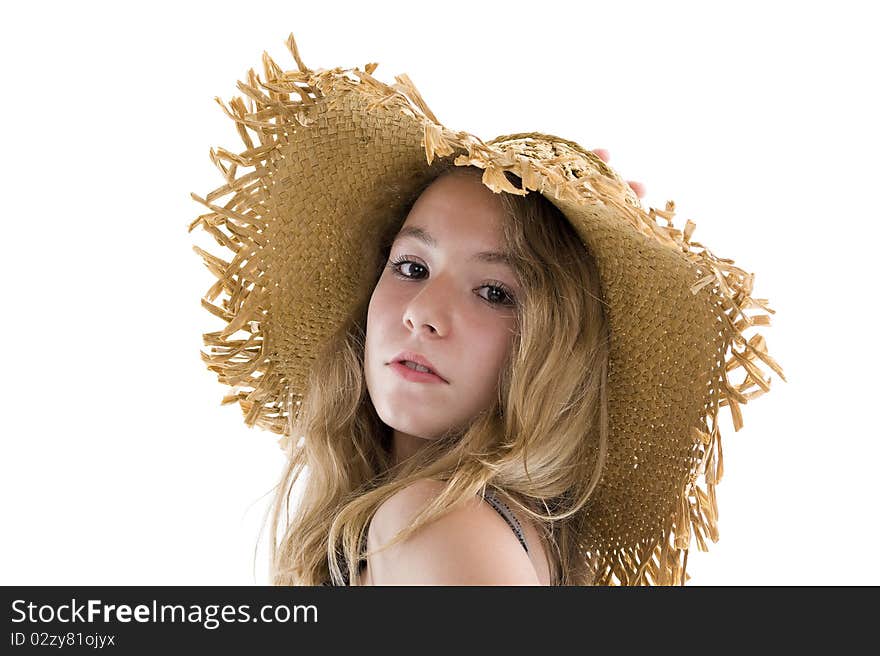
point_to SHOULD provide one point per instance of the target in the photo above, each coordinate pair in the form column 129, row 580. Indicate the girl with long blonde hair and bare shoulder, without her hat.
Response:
column 436, row 298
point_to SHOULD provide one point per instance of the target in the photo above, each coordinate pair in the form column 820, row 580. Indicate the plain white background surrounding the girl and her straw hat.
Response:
column 119, row 466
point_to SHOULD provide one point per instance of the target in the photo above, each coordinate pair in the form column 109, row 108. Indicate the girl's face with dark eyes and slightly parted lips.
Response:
column 439, row 298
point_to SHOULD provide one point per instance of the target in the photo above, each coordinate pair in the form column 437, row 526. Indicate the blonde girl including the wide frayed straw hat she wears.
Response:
column 488, row 363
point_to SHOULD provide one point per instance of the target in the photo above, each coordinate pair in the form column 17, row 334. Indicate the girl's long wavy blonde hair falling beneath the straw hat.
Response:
column 542, row 441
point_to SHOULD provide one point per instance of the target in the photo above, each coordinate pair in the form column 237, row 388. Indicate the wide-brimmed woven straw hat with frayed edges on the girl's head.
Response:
column 314, row 189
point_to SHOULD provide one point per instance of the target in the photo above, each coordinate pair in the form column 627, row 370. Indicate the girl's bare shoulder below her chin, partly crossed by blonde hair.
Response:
column 471, row 545
